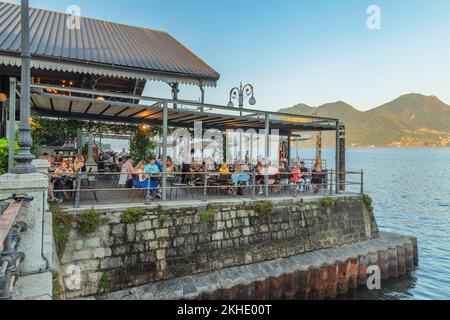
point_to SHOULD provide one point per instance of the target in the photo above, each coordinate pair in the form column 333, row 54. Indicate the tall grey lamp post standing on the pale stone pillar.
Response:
column 24, row 156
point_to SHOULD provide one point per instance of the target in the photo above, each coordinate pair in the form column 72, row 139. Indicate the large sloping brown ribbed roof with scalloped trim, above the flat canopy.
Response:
column 109, row 48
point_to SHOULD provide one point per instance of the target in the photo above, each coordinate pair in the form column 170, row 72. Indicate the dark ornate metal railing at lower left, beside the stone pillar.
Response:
column 10, row 236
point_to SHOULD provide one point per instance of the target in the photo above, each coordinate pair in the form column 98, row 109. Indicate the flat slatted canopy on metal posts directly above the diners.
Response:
column 216, row 117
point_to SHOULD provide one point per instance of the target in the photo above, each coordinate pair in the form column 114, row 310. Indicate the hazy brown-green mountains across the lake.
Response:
column 412, row 120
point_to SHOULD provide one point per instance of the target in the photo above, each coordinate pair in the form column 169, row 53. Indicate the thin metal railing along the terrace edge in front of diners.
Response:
column 104, row 188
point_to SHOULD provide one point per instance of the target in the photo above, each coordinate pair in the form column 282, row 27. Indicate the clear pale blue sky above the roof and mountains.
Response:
column 300, row 51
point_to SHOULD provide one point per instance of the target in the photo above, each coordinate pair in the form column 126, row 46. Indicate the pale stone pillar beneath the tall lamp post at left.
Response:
column 35, row 185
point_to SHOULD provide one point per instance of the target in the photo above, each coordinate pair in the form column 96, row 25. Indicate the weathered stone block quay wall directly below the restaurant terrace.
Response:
column 175, row 240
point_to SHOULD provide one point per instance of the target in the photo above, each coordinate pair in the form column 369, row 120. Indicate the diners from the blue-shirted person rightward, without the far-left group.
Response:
column 234, row 178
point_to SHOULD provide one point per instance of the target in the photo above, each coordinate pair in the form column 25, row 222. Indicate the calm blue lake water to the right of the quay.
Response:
column 411, row 193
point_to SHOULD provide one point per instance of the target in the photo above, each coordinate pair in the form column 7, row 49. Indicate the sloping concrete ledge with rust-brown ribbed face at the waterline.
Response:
column 315, row 275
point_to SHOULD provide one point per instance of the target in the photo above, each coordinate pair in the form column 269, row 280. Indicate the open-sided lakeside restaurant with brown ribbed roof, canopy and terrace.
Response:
column 97, row 71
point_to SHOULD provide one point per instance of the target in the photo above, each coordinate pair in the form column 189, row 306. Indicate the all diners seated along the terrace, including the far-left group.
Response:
column 235, row 178
